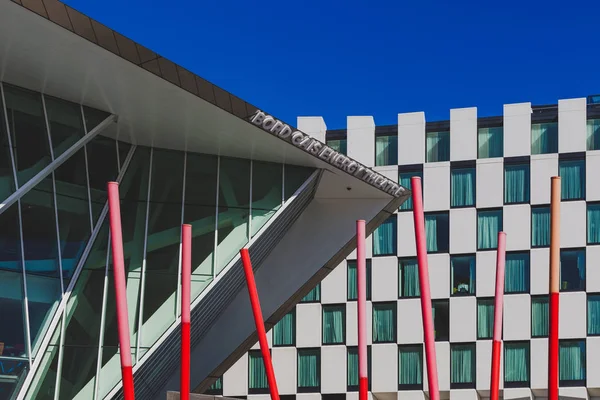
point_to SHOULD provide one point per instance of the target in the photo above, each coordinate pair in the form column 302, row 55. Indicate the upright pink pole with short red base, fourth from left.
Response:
column 361, row 269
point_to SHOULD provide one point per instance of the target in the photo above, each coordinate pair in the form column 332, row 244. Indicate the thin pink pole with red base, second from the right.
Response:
column 498, row 304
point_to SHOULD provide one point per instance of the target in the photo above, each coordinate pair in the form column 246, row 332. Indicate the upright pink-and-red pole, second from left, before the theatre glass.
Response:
column 186, row 287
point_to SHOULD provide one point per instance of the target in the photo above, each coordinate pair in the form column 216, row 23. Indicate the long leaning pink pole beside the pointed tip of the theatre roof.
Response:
column 419, row 220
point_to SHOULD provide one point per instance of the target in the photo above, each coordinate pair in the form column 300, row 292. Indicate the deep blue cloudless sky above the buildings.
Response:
column 338, row 58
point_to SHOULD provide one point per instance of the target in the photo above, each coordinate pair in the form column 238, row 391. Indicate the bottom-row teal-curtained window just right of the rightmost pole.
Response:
column 571, row 358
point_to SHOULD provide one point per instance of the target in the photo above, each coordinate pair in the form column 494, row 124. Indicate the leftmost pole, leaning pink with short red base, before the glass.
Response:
column 120, row 288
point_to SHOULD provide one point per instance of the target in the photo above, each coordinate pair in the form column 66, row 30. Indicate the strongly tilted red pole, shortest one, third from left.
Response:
column 260, row 325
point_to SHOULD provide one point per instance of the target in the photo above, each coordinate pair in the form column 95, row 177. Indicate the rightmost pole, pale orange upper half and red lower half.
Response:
column 554, row 288
